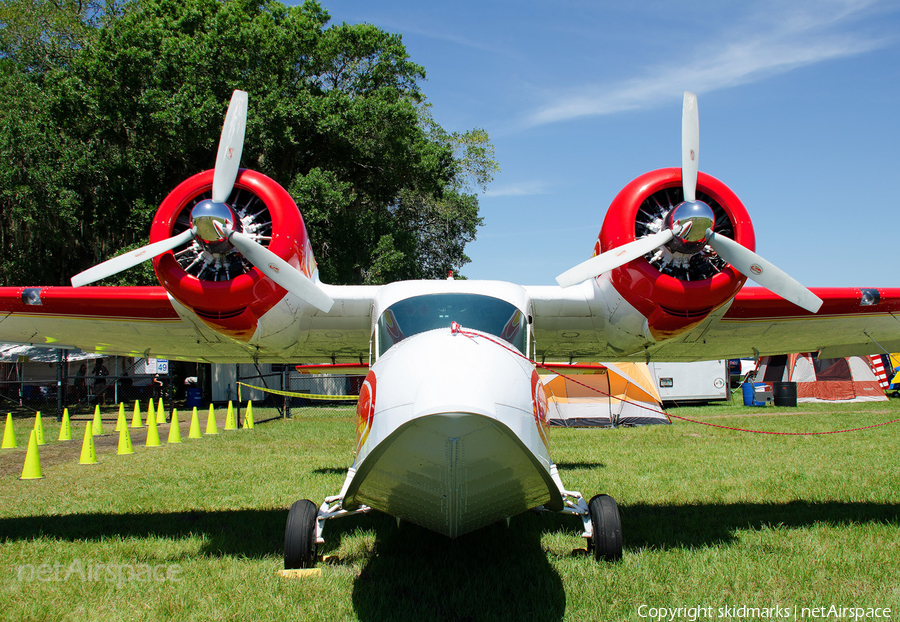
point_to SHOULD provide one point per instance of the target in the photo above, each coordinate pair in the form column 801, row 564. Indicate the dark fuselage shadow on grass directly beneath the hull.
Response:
column 495, row 573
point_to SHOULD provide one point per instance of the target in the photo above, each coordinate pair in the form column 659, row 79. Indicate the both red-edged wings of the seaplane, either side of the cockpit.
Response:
column 577, row 324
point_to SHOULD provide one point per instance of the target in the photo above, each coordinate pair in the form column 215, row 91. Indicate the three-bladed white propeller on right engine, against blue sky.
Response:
column 689, row 228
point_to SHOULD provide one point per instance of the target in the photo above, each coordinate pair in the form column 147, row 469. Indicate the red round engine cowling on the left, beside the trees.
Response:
column 222, row 288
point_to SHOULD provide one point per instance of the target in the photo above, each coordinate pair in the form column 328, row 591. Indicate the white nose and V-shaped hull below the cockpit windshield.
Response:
column 453, row 442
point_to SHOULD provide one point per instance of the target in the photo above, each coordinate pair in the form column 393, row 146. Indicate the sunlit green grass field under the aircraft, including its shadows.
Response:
column 712, row 518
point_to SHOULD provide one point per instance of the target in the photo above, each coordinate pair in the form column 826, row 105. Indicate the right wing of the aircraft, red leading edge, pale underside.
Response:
column 580, row 324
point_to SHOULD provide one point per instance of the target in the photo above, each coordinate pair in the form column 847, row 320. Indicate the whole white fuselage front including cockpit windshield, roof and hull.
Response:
column 452, row 421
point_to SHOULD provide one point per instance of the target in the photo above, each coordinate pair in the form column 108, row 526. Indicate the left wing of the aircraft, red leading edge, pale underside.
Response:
column 147, row 321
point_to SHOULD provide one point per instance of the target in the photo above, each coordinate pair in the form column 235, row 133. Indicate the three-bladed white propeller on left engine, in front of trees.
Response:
column 213, row 221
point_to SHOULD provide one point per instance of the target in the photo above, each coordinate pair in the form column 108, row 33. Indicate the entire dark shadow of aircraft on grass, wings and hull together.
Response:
column 493, row 573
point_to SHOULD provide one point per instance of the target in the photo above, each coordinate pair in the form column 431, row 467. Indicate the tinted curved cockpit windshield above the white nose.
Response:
column 474, row 311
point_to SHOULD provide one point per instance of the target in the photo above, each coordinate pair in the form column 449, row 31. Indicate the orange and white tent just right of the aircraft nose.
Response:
column 615, row 394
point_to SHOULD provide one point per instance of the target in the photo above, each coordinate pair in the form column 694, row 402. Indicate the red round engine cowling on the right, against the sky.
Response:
column 674, row 292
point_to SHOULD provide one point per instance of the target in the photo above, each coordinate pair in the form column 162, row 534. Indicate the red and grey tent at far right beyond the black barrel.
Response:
column 848, row 379
